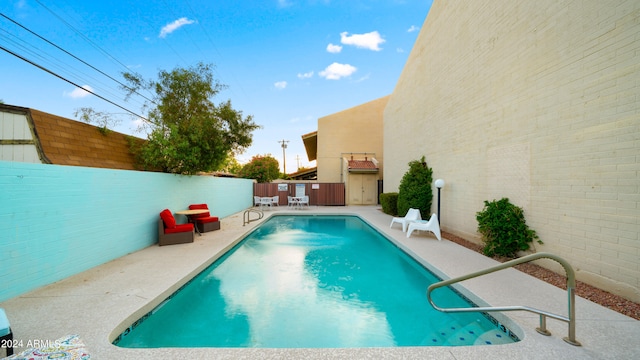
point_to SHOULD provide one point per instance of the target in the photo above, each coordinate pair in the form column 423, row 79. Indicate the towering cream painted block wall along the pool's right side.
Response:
column 537, row 101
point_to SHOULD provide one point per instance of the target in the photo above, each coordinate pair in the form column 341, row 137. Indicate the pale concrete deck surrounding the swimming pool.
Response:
column 100, row 303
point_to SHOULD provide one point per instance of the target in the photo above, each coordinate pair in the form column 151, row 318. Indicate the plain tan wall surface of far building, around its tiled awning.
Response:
column 355, row 130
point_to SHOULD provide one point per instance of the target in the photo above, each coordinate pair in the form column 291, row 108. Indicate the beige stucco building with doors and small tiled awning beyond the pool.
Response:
column 348, row 149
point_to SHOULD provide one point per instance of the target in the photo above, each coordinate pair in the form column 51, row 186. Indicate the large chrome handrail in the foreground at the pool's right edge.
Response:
column 571, row 285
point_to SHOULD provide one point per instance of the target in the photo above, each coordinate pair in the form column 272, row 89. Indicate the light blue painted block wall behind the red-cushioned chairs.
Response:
column 57, row 221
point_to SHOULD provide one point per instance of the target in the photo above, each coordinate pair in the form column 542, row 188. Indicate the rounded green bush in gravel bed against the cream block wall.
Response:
column 503, row 228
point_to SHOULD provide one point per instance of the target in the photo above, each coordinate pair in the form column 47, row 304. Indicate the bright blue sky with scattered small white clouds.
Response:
column 286, row 62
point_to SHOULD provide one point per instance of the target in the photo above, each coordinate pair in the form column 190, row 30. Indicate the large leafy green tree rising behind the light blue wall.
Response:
column 188, row 133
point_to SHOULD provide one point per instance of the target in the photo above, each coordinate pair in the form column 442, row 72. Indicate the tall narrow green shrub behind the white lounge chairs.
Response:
column 415, row 189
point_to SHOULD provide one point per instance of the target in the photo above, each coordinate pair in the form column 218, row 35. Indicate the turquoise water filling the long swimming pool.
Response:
column 316, row 282
